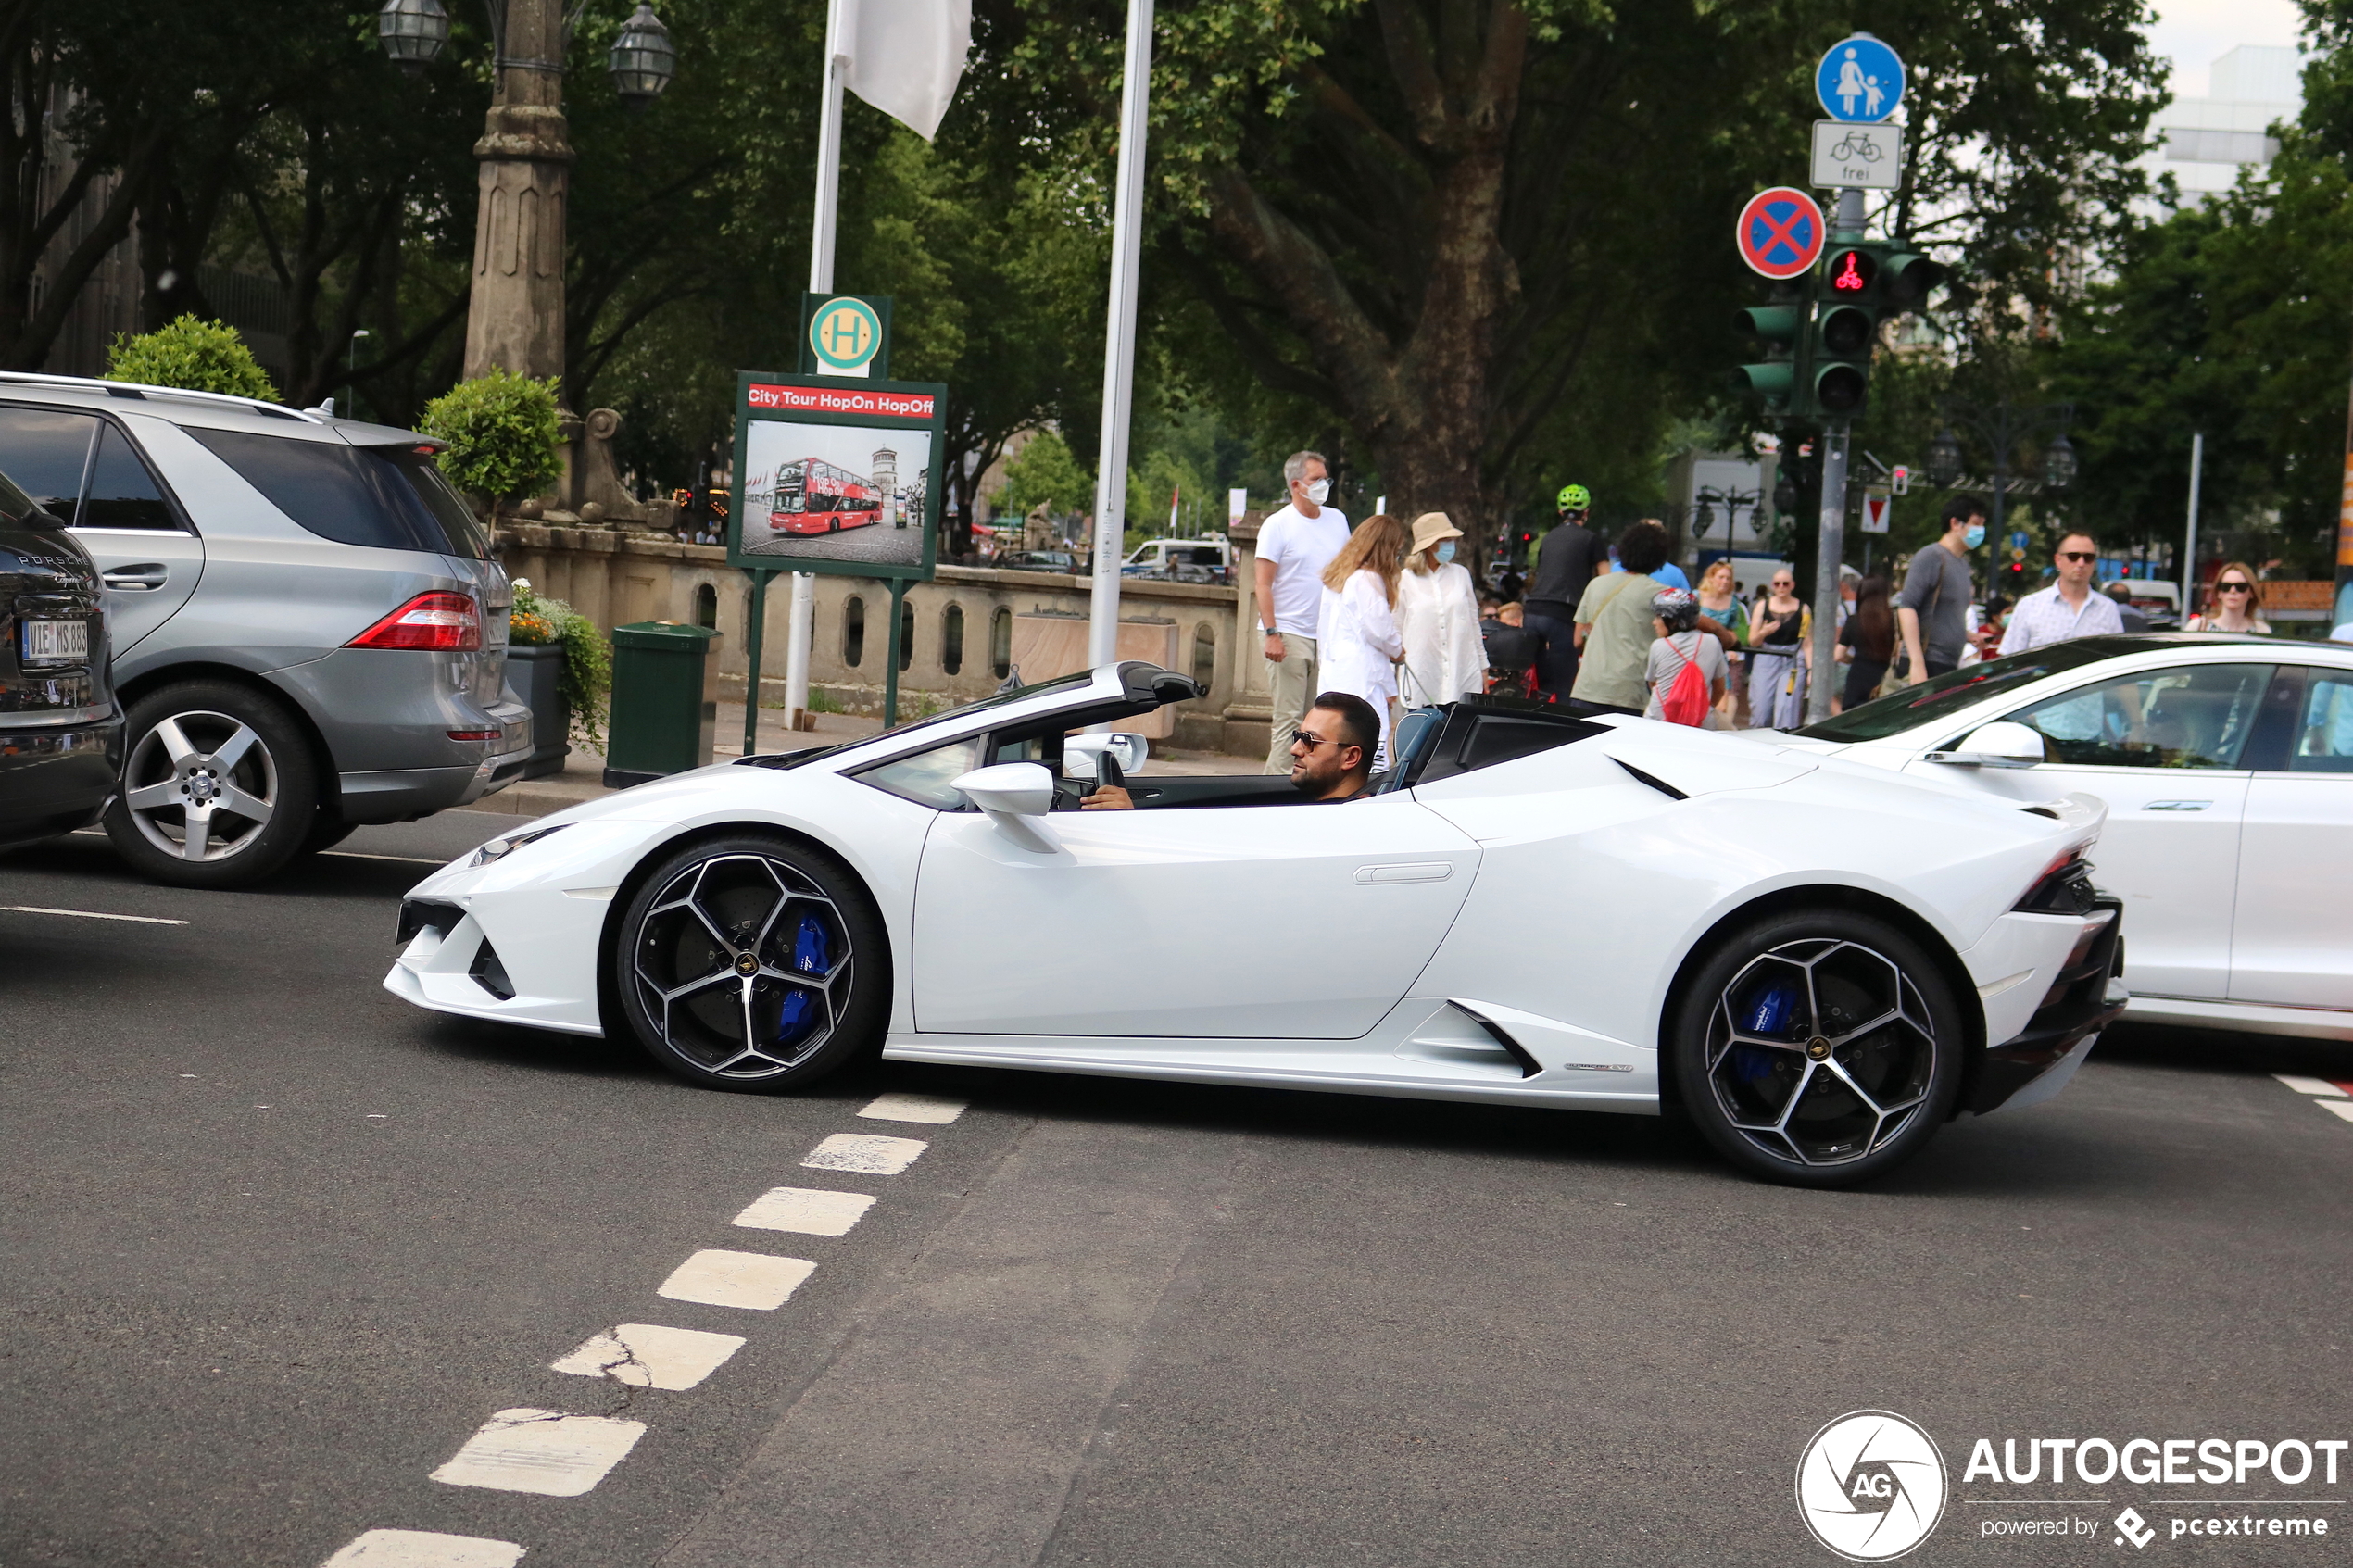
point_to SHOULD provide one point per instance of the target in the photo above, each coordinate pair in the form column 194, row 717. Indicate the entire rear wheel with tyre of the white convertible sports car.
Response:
column 1818, row 1047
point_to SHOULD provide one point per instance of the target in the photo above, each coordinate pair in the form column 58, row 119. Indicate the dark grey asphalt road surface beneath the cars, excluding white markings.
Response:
column 276, row 1245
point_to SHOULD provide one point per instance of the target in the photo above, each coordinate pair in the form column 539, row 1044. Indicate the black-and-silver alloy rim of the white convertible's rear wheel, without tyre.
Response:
column 1820, row 1052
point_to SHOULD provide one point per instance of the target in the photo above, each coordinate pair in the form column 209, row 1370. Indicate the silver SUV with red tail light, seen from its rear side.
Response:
column 307, row 626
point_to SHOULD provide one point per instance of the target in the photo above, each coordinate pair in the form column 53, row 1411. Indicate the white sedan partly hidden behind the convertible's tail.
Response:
column 2227, row 765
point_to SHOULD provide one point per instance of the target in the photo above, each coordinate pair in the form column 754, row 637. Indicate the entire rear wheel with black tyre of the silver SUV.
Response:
column 218, row 786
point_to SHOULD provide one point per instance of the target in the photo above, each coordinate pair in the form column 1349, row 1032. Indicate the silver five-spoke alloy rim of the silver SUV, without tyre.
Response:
column 201, row 786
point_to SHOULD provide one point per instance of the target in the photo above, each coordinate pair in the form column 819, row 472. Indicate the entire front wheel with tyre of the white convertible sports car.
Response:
column 754, row 963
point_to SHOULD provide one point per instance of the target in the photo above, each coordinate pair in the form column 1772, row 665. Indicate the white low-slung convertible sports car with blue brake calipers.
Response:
column 1822, row 963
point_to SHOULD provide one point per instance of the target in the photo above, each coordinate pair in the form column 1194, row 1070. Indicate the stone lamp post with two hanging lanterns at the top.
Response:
column 516, row 311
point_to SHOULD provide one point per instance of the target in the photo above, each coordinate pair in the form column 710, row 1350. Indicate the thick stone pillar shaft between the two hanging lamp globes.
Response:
column 516, row 319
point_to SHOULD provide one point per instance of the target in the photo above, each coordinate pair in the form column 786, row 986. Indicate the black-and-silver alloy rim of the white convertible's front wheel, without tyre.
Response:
column 745, row 965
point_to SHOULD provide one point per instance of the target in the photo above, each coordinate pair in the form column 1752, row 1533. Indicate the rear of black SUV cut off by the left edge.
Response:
column 60, row 725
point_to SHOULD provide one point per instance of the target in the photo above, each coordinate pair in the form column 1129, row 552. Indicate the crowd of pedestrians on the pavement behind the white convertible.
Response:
column 1385, row 615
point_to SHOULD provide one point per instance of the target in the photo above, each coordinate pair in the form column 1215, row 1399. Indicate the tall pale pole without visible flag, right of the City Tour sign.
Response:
column 1121, row 340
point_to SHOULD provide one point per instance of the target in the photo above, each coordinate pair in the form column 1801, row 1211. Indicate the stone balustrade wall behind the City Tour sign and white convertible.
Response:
column 961, row 624
